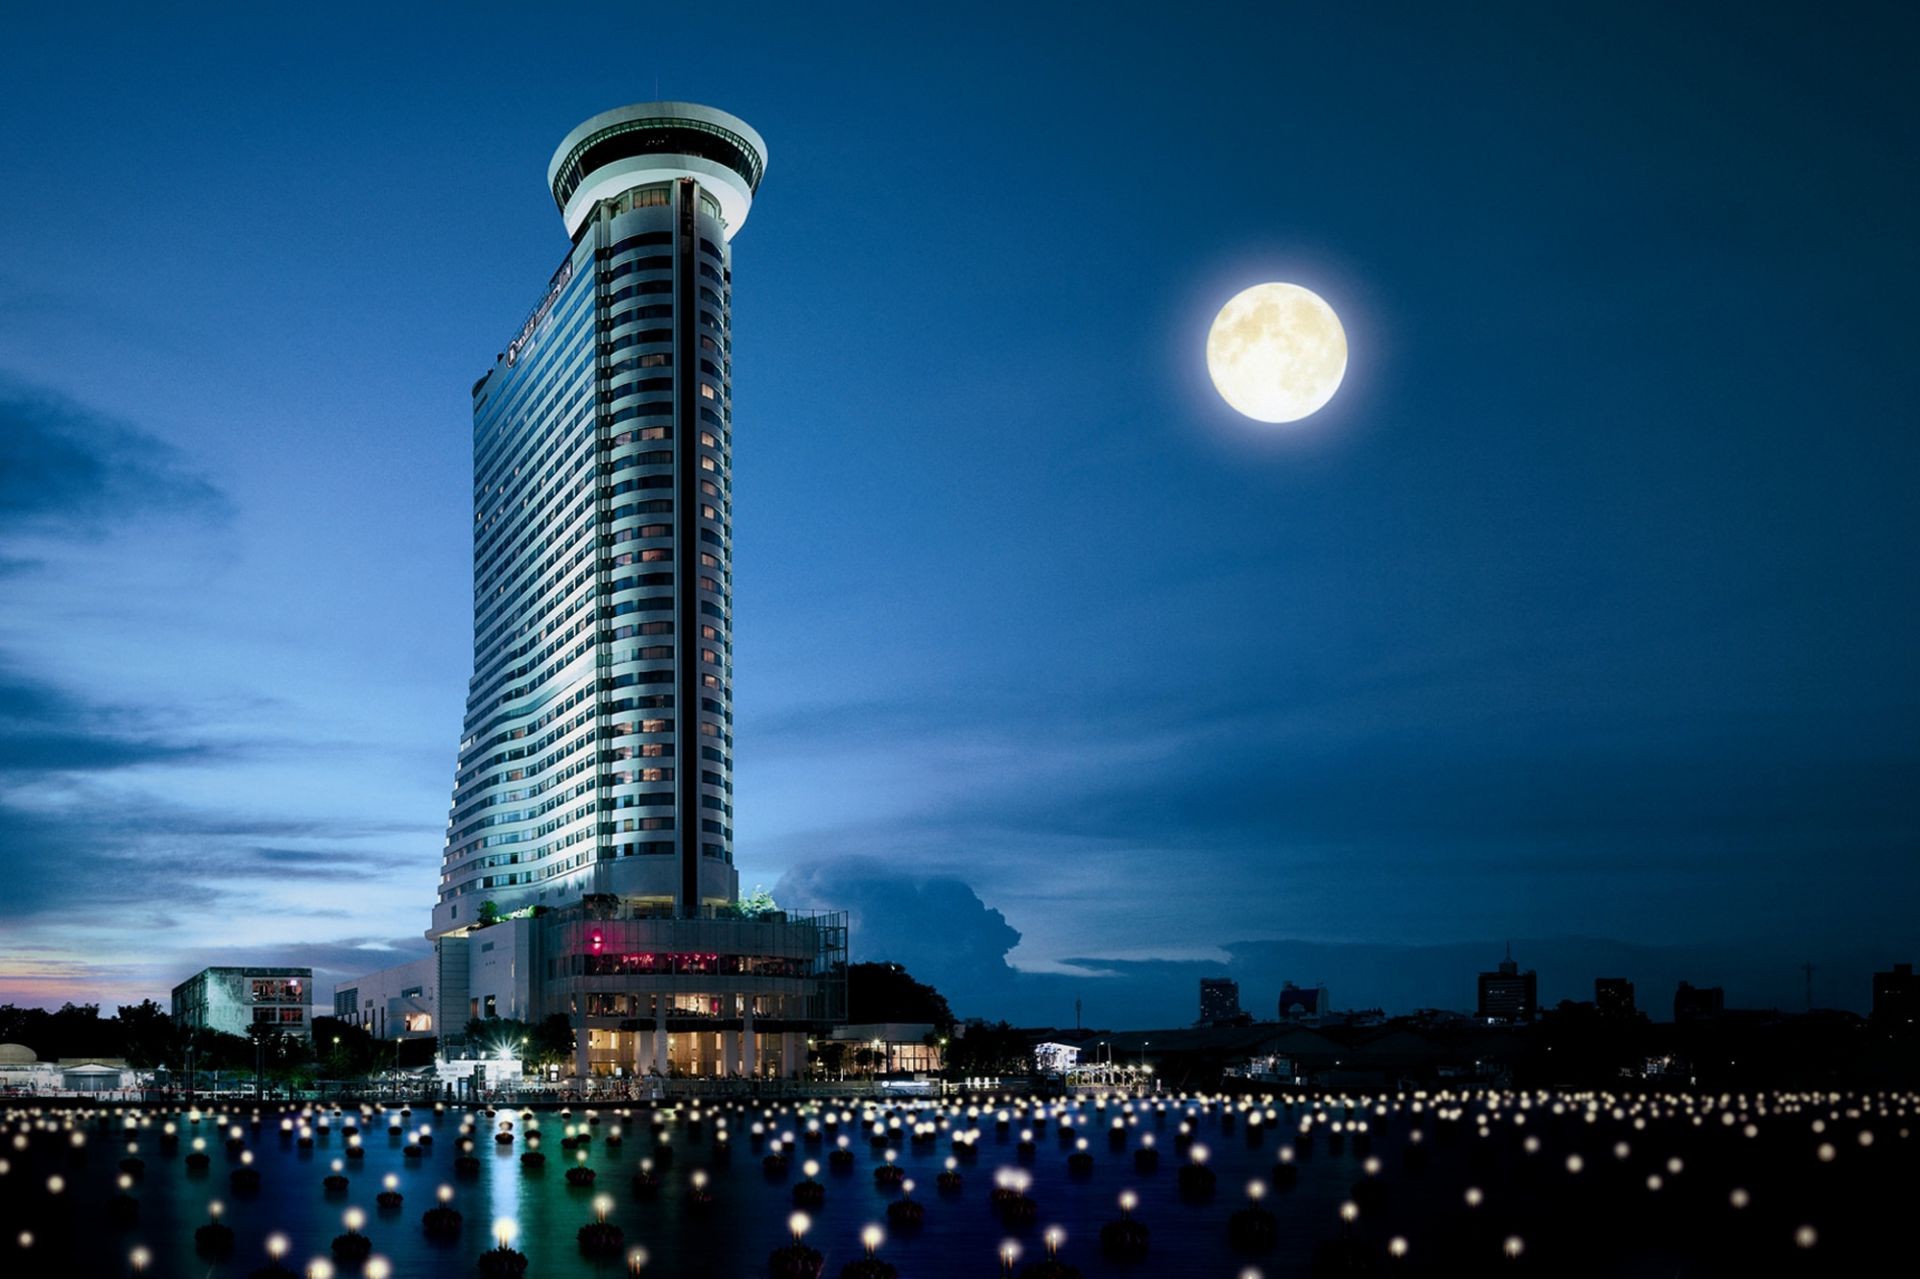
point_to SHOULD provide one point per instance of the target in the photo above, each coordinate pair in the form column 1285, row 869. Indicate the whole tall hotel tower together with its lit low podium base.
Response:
column 594, row 788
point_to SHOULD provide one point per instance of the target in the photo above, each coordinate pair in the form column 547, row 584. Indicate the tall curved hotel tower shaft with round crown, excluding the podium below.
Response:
column 598, row 744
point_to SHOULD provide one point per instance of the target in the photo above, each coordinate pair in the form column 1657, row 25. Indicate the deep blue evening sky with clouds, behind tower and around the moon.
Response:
column 1585, row 615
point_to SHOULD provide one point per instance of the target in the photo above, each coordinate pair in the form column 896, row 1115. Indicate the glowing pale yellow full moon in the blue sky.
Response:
column 1276, row 352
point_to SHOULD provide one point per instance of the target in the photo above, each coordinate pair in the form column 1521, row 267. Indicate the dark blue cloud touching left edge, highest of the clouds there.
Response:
column 70, row 471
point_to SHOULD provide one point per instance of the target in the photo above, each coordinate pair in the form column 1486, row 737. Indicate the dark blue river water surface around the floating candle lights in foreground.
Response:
column 1598, row 1220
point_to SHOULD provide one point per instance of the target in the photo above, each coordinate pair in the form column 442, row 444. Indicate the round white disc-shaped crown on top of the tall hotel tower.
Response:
column 658, row 143
